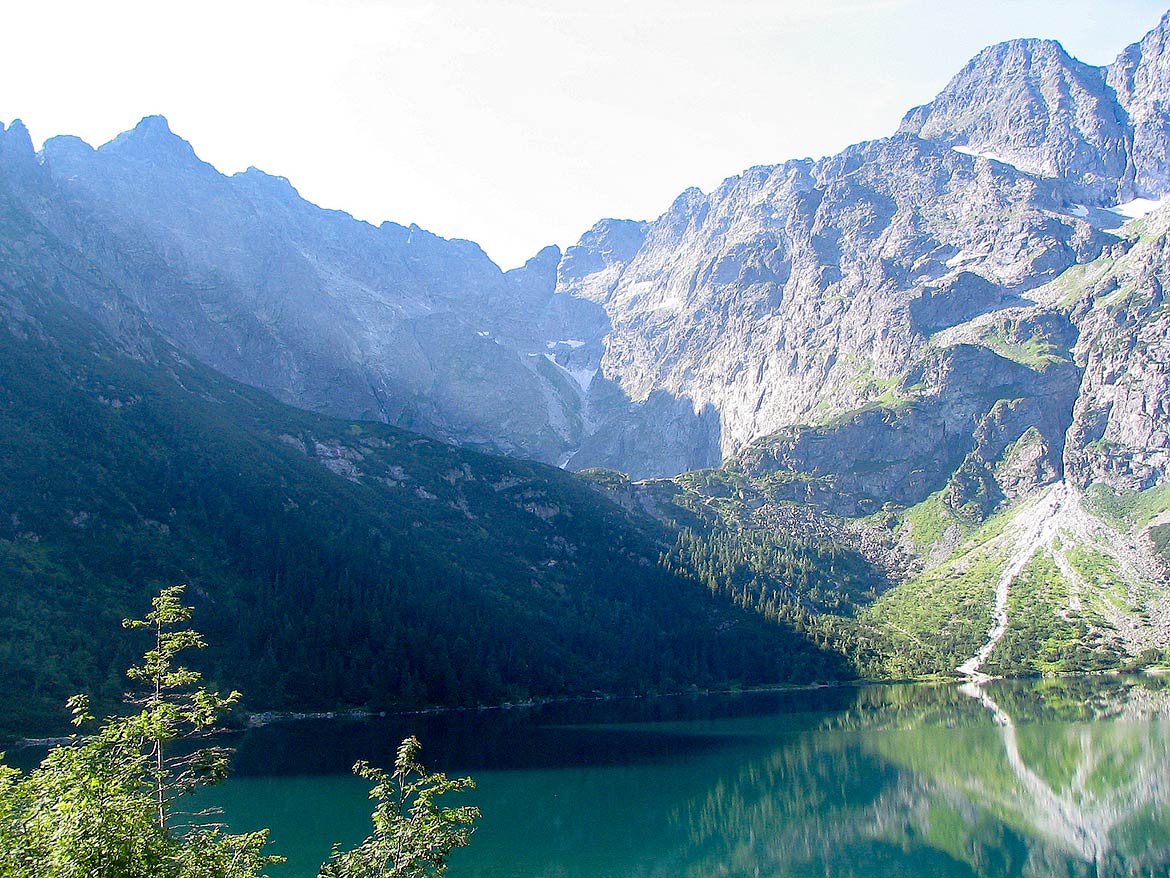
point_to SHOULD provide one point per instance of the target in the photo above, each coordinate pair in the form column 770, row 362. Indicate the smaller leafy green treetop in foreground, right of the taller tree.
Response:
column 412, row 835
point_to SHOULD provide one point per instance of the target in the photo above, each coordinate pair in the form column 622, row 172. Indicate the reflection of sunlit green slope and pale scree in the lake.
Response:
column 1010, row 779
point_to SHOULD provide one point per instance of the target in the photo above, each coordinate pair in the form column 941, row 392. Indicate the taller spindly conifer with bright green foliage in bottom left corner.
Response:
column 101, row 806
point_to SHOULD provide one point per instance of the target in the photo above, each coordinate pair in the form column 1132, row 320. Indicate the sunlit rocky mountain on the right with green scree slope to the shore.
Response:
column 952, row 344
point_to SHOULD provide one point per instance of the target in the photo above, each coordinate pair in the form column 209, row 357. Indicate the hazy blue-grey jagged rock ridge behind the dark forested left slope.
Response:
column 331, row 314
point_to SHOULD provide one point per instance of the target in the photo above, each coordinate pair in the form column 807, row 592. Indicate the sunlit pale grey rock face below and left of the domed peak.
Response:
column 802, row 292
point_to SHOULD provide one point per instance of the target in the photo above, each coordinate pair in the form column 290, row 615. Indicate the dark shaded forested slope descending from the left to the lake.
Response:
column 332, row 563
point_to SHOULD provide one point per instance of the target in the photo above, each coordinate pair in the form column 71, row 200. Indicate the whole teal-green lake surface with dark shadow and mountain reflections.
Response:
column 1052, row 778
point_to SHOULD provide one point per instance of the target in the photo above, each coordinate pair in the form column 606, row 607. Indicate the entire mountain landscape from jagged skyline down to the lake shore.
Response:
column 898, row 413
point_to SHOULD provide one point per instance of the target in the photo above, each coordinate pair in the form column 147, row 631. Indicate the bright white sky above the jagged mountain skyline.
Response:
column 513, row 124
